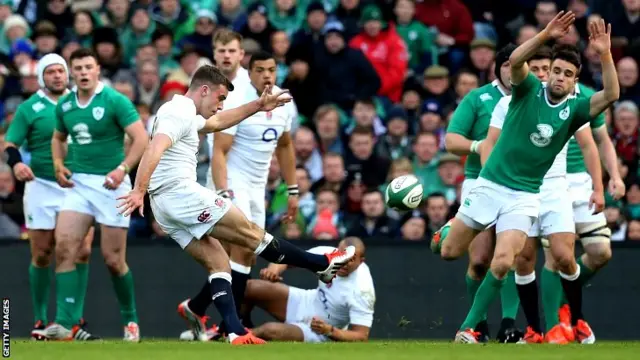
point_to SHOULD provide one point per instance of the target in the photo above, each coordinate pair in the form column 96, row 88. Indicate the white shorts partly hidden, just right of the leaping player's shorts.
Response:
column 556, row 211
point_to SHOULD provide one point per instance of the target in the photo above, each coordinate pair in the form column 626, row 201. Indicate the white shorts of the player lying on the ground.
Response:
column 300, row 311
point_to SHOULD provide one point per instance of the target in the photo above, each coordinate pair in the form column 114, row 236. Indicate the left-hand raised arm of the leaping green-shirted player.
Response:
column 556, row 29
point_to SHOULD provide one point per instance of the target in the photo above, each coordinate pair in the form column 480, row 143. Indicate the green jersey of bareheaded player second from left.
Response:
column 96, row 129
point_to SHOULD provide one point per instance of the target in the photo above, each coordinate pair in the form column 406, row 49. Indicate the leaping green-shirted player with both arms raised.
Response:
column 539, row 123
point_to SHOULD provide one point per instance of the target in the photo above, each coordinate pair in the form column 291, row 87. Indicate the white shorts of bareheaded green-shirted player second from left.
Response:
column 88, row 196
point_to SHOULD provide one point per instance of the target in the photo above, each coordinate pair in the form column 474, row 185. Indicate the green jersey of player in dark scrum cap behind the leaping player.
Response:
column 471, row 120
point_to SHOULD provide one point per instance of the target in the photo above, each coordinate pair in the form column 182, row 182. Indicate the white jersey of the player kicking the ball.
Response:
column 177, row 119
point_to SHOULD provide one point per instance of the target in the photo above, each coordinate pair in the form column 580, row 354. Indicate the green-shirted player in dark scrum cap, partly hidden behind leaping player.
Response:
column 466, row 131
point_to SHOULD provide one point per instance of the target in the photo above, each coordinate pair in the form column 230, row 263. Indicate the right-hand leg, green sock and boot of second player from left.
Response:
column 113, row 245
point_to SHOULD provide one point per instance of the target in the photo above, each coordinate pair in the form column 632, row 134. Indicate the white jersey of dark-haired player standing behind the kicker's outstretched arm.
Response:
column 255, row 140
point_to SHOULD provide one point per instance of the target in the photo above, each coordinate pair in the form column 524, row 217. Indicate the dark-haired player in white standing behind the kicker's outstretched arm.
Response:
column 241, row 159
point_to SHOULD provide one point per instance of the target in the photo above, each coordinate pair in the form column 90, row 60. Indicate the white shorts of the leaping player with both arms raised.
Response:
column 488, row 203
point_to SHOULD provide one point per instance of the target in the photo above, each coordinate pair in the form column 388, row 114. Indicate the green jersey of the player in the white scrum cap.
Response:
column 33, row 124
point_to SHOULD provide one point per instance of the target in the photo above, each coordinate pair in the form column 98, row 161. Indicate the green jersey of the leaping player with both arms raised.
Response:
column 534, row 132
